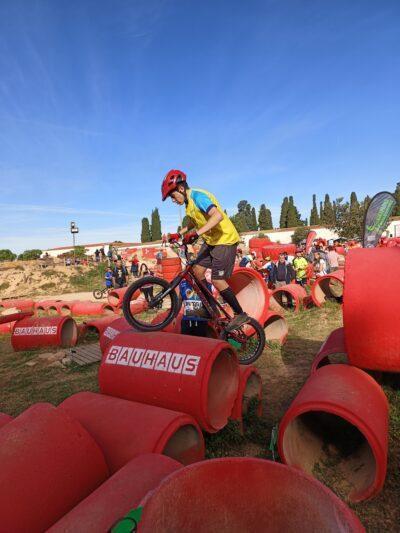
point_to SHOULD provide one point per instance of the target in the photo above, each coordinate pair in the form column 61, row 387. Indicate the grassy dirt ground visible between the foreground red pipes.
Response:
column 27, row 377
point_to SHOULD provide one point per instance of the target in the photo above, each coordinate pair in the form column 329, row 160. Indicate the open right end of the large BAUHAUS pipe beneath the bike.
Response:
column 222, row 386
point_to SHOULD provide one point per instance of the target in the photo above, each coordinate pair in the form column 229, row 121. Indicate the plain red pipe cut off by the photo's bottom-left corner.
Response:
column 49, row 463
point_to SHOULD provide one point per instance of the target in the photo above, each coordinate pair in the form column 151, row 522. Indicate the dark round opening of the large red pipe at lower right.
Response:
column 327, row 445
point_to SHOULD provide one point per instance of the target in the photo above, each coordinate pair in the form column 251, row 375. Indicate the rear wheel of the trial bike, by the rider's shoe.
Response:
column 248, row 340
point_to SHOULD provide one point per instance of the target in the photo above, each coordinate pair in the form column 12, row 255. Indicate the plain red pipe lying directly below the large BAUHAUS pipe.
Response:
column 124, row 429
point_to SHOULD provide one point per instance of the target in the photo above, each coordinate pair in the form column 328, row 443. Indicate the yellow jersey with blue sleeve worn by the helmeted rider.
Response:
column 199, row 204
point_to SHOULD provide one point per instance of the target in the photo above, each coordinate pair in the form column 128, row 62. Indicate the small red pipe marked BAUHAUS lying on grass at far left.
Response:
column 37, row 332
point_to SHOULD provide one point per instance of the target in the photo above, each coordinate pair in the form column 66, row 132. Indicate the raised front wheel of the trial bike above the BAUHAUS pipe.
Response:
column 154, row 308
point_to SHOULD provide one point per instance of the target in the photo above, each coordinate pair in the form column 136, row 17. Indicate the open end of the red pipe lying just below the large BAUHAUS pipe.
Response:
column 185, row 445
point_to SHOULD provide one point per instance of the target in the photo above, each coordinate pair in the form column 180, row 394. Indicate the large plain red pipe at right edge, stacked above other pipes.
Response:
column 371, row 309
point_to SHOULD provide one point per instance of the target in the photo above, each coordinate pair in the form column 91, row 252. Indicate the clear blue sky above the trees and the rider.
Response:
column 253, row 99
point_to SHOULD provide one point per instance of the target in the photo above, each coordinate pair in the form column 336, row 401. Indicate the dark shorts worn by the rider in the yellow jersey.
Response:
column 220, row 258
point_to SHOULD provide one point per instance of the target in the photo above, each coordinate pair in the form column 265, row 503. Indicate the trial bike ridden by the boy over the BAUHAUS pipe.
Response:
column 163, row 307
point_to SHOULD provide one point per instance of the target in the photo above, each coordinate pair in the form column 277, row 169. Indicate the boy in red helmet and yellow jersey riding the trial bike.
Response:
column 207, row 220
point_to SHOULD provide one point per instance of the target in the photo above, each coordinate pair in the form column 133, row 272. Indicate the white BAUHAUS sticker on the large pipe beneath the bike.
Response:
column 177, row 363
